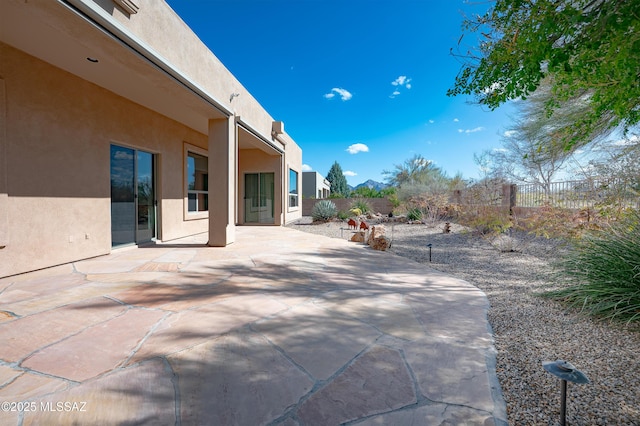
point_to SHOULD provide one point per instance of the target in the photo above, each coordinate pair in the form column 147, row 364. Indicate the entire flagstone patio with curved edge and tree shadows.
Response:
column 279, row 328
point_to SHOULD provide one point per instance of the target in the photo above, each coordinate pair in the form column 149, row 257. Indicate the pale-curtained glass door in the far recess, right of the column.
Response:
column 258, row 198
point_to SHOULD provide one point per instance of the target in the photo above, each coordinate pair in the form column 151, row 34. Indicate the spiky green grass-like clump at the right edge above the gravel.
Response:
column 603, row 272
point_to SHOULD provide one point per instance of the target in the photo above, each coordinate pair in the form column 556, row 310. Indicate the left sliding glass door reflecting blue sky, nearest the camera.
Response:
column 133, row 201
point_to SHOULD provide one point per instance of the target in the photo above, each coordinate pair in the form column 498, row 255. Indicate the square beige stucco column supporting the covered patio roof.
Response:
column 222, row 181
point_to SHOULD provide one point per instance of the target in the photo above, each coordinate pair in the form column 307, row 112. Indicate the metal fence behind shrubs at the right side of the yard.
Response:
column 580, row 194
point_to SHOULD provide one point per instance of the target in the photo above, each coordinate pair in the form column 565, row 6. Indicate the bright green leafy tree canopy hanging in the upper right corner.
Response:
column 589, row 49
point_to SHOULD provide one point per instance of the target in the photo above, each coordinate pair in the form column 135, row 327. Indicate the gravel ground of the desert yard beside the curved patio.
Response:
column 529, row 329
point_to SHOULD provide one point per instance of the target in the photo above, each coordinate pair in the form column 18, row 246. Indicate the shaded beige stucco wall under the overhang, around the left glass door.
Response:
column 58, row 132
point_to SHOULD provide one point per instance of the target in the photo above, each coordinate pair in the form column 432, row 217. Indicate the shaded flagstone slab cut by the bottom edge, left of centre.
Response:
column 237, row 370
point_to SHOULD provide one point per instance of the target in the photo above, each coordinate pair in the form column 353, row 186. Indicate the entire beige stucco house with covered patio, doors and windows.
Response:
column 118, row 126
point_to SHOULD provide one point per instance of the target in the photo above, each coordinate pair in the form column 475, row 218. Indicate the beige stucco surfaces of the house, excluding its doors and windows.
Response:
column 56, row 129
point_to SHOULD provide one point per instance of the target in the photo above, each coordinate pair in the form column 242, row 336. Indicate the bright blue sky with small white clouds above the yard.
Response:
column 360, row 82
